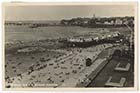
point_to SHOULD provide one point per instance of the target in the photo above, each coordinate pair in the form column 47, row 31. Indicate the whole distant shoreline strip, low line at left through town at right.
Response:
column 79, row 21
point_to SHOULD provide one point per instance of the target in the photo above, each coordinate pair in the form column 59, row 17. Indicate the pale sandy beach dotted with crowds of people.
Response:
column 59, row 68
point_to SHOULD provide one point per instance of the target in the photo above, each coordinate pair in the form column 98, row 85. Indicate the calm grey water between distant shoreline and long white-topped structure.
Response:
column 24, row 33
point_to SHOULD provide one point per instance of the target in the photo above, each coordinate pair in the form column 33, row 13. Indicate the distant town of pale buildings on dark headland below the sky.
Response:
column 100, row 22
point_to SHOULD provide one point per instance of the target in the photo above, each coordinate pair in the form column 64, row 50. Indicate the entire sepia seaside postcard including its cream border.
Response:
column 70, row 46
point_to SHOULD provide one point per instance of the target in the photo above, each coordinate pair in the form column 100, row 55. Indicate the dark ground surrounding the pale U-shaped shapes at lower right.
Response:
column 108, row 71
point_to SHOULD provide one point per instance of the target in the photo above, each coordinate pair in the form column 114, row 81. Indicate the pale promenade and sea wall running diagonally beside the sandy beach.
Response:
column 86, row 76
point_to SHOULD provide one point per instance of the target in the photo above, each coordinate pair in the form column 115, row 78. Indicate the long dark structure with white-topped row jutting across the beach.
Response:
column 86, row 42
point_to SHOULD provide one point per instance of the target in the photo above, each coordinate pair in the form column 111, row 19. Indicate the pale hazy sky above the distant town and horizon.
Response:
column 66, row 12
